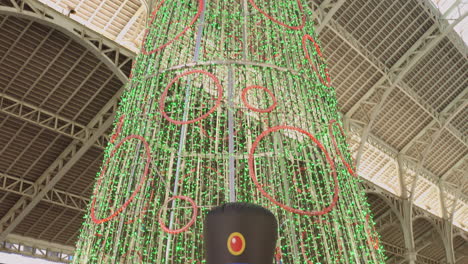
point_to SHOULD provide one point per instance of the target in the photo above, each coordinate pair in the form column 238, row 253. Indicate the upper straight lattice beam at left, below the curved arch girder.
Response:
column 51, row 121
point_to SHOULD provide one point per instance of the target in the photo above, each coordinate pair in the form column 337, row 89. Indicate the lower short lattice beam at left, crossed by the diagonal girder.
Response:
column 55, row 196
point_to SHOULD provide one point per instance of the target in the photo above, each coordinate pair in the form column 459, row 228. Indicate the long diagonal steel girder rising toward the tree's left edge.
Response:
column 59, row 168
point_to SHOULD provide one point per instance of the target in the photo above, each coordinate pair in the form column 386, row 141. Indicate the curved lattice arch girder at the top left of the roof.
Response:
column 105, row 49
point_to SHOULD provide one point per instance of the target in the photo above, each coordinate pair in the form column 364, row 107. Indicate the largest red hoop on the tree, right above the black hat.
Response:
column 285, row 207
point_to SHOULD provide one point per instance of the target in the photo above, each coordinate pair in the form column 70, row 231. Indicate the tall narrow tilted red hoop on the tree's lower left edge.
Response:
column 137, row 189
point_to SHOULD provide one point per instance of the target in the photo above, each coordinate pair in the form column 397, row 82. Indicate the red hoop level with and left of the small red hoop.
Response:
column 164, row 95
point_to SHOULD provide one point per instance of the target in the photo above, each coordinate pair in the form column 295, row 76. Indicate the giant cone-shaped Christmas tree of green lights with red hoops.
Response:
column 228, row 101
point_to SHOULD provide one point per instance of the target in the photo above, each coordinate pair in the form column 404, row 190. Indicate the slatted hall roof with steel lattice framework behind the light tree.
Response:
column 359, row 50
